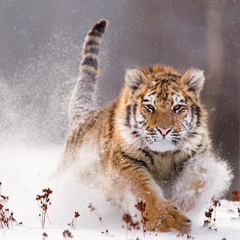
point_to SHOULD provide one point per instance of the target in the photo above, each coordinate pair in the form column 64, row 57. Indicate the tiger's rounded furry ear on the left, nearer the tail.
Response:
column 134, row 78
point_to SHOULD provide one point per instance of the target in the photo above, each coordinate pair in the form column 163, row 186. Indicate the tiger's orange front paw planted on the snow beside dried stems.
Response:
column 166, row 218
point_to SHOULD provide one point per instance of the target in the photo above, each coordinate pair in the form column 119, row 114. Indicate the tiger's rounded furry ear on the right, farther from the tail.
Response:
column 193, row 81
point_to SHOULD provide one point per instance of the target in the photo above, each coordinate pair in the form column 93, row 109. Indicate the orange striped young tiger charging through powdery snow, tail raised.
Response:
column 152, row 142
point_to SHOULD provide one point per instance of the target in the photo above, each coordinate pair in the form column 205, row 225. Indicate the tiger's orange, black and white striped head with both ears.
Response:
column 162, row 109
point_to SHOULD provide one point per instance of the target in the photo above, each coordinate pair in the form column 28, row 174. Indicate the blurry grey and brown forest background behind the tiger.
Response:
column 40, row 44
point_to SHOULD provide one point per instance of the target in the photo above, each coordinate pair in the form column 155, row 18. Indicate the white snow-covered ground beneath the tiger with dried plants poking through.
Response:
column 25, row 171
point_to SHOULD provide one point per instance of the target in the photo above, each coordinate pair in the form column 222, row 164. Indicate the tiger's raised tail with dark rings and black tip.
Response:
column 83, row 97
